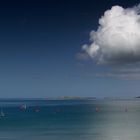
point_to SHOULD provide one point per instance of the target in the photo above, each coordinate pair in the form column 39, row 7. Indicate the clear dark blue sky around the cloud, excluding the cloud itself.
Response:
column 38, row 44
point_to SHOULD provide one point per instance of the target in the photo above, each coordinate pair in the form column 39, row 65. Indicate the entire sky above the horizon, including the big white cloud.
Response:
column 66, row 48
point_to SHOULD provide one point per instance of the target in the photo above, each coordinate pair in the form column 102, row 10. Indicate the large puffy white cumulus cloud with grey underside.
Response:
column 117, row 39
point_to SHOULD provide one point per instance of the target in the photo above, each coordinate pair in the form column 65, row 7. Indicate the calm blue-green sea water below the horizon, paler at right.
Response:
column 70, row 120
